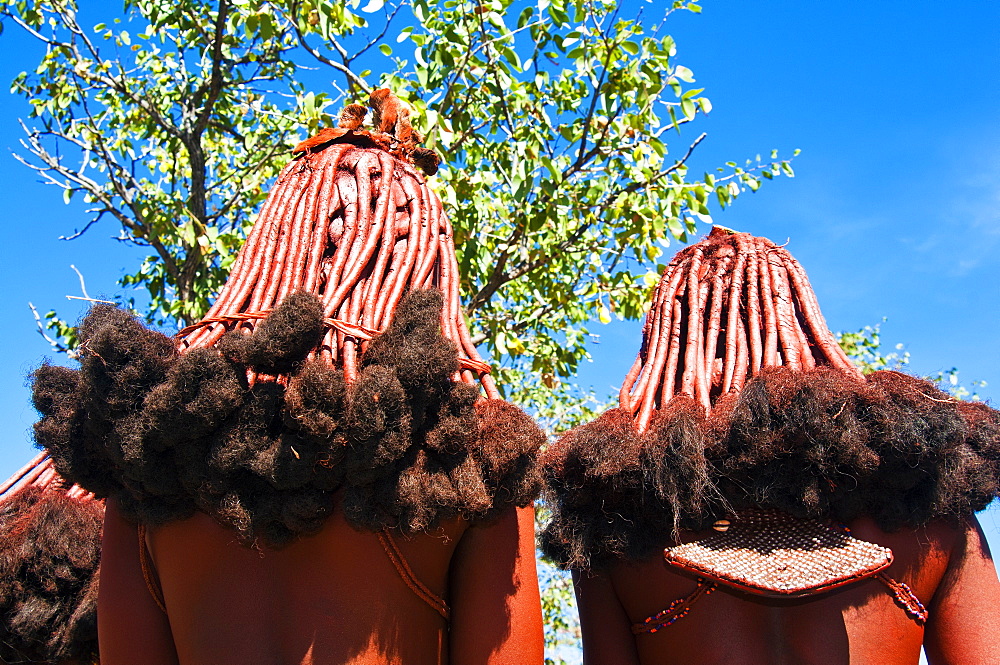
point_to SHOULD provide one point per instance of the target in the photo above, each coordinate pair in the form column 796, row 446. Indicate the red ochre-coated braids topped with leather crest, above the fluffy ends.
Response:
column 353, row 222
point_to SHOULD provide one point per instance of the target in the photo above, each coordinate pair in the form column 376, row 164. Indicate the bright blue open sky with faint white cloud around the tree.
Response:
column 895, row 210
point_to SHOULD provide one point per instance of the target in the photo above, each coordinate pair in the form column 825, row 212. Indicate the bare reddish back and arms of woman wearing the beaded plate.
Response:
column 948, row 567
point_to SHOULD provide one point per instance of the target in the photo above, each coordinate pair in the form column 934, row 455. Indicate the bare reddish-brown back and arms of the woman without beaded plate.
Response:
column 330, row 598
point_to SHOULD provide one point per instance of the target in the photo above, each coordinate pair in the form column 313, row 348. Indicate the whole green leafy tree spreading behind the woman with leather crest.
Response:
column 553, row 119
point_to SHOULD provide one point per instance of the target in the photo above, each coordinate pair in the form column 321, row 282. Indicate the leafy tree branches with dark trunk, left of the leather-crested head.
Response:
column 169, row 119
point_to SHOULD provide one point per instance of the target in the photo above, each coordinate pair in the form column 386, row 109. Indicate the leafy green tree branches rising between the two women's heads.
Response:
column 556, row 121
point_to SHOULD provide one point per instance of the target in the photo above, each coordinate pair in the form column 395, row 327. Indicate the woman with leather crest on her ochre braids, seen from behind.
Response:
column 321, row 469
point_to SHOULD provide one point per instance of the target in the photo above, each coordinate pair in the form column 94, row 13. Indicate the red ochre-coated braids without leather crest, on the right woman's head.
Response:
column 725, row 308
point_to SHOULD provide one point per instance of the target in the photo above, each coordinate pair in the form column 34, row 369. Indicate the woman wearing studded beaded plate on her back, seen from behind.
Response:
column 755, row 499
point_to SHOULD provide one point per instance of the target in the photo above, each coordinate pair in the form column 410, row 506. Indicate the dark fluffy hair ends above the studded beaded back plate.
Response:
column 816, row 444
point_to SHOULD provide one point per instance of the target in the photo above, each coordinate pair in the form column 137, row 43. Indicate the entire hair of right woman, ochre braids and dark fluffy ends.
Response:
column 740, row 397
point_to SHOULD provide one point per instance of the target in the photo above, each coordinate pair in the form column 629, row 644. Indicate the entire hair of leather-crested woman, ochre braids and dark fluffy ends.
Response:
column 335, row 360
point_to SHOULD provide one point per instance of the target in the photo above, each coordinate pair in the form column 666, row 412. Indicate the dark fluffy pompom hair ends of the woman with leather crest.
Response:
column 407, row 442
